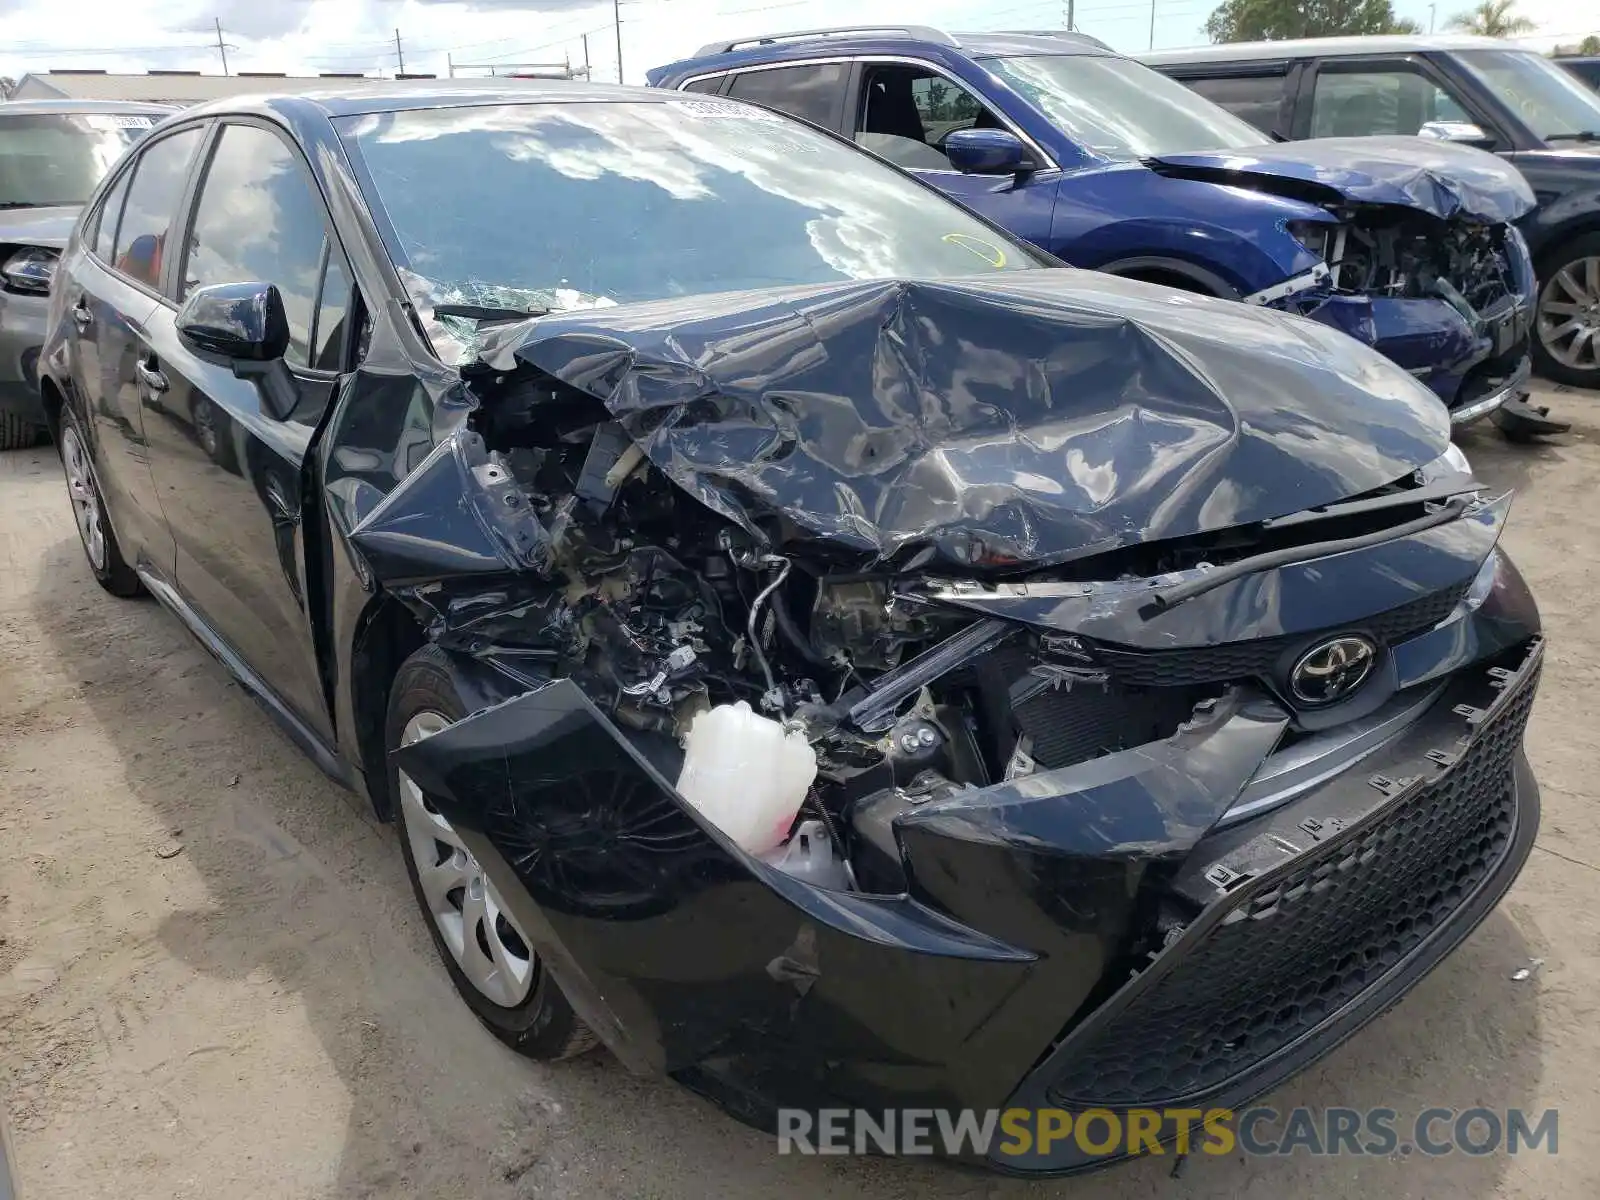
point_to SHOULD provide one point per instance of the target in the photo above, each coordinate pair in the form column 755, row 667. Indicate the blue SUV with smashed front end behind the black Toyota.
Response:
column 1404, row 244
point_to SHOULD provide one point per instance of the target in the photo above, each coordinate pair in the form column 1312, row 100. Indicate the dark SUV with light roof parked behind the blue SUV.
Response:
column 1474, row 90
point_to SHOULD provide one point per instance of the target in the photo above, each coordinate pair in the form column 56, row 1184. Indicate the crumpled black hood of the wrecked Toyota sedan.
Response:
column 1001, row 420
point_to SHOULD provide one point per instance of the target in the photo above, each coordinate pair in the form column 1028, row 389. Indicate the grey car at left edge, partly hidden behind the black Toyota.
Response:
column 52, row 156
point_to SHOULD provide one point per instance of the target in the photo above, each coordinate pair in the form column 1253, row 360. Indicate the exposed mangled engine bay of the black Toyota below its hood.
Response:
column 663, row 612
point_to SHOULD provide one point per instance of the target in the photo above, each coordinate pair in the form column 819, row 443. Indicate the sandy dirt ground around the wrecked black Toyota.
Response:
column 262, row 1015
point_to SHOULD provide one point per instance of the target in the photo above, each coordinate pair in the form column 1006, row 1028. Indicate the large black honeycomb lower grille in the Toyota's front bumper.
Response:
column 1305, row 948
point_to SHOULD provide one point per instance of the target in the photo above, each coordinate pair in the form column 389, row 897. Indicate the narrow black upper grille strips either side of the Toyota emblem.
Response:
column 1257, row 660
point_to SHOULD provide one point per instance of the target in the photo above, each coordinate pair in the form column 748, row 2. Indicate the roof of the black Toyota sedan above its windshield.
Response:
column 402, row 95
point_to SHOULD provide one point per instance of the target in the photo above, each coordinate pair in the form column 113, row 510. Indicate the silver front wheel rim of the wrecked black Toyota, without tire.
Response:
column 463, row 905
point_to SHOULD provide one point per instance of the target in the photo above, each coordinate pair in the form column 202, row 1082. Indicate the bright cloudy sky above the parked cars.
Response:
column 318, row 36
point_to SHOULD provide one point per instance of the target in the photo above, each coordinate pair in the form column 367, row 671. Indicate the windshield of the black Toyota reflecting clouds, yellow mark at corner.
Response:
column 556, row 207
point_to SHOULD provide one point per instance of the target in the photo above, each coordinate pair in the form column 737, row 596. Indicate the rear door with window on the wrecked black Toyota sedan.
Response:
column 113, row 297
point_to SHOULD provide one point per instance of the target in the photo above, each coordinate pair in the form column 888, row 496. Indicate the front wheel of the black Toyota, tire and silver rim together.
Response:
column 530, row 1017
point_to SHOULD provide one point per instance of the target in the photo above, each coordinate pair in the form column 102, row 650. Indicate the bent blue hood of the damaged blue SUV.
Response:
column 1433, row 177
